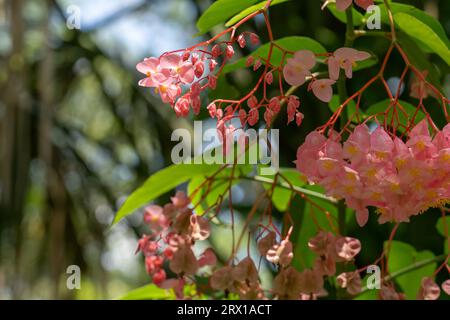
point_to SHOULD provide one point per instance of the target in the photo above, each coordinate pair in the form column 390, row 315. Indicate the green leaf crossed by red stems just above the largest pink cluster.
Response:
column 403, row 118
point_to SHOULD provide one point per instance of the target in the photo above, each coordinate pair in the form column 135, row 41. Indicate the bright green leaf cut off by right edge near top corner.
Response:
column 424, row 34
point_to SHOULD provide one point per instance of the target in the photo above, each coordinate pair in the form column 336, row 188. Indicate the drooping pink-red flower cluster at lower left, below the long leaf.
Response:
column 174, row 230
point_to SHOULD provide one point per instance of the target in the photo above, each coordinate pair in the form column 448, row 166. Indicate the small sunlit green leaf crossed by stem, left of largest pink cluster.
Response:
column 281, row 196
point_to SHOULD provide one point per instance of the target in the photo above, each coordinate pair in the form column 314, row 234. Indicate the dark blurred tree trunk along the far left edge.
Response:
column 16, row 145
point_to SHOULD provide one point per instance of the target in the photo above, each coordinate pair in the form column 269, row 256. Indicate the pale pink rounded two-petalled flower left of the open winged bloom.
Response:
column 298, row 67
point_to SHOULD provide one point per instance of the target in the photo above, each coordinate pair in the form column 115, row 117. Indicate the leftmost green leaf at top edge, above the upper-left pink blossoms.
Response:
column 219, row 12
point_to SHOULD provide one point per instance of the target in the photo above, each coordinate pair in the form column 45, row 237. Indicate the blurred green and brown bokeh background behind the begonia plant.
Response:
column 77, row 134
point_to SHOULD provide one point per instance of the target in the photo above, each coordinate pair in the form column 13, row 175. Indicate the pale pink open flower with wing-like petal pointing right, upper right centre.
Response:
column 346, row 59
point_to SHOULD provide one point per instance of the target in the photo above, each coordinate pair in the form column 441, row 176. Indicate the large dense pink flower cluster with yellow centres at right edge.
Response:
column 375, row 169
